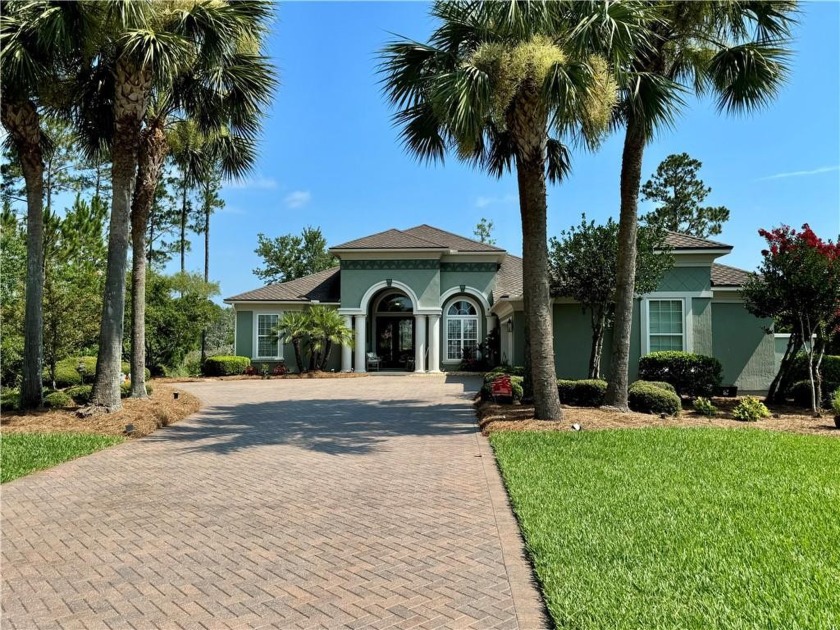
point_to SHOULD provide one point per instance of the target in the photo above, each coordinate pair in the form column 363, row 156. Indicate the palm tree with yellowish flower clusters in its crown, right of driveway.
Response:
column 500, row 84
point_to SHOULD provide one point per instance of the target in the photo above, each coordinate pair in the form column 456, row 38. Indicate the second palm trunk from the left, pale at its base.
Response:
column 132, row 90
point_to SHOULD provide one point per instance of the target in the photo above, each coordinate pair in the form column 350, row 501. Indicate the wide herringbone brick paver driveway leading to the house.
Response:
column 366, row 502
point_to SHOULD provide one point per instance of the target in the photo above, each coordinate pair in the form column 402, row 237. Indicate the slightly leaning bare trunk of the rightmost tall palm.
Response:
column 631, row 176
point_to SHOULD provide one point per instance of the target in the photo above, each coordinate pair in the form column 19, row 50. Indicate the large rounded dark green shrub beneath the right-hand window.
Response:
column 690, row 374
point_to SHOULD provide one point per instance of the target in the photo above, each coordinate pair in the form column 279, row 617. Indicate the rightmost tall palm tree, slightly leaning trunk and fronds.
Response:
column 736, row 51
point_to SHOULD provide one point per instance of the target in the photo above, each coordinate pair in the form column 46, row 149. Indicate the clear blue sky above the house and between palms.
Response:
column 331, row 158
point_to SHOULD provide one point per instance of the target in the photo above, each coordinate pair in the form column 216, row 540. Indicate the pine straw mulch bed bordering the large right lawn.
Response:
column 493, row 417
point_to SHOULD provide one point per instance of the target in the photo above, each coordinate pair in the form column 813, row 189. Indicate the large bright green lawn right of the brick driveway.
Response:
column 680, row 528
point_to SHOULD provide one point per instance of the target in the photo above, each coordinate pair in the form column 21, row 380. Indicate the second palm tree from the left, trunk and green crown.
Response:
column 143, row 45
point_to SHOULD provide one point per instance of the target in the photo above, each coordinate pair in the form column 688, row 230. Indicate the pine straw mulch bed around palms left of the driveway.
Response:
column 159, row 410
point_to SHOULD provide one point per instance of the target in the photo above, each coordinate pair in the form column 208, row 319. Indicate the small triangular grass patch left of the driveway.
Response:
column 23, row 453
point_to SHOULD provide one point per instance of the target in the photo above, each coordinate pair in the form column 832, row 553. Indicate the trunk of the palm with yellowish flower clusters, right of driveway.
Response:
column 532, row 205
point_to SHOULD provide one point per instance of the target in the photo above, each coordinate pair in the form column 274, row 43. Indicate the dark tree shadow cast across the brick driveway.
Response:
column 336, row 427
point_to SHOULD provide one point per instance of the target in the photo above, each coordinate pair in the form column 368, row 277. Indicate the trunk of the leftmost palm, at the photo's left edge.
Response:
column 23, row 124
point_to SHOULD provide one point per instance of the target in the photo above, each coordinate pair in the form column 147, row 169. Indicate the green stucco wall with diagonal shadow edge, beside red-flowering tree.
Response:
column 740, row 343
